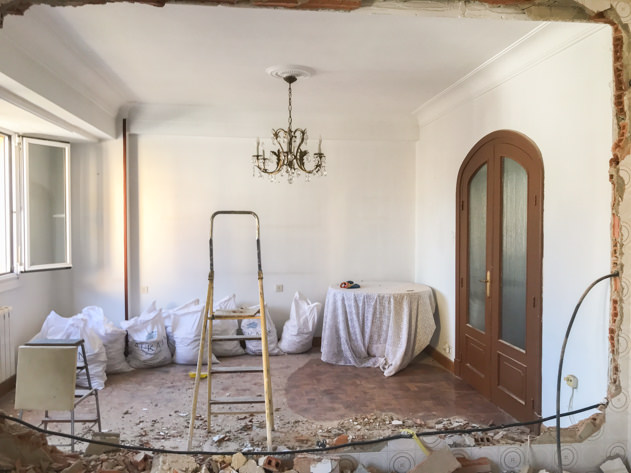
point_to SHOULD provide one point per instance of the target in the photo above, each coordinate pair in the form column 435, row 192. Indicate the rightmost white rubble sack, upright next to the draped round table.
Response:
column 298, row 331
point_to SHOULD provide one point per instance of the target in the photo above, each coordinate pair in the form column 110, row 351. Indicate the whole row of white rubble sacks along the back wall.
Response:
column 159, row 336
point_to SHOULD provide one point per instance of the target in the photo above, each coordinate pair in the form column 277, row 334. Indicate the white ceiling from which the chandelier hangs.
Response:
column 122, row 55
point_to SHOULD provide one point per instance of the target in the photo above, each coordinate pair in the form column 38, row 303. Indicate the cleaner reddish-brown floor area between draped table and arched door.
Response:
column 424, row 390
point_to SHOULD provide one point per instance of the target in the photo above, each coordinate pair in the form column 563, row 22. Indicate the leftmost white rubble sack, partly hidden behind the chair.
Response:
column 56, row 326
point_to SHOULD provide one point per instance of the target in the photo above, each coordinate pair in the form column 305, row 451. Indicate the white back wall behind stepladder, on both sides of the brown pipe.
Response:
column 358, row 222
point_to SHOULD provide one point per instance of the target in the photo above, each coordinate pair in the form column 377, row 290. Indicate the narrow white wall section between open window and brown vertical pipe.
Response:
column 97, row 276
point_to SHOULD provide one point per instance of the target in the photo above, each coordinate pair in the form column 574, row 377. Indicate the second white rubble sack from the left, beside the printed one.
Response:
column 113, row 338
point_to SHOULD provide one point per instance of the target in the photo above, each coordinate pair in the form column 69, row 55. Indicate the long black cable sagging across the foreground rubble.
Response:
column 304, row 450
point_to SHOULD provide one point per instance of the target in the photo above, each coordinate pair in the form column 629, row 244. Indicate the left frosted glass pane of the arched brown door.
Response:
column 477, row 249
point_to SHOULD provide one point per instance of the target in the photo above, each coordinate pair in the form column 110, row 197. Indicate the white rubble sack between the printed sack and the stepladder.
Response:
column 187, row 321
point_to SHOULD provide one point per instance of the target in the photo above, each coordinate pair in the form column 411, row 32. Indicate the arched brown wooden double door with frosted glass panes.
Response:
column 498, row 271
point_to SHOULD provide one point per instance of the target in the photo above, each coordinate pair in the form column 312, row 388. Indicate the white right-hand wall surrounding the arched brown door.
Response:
column 563, row 103
